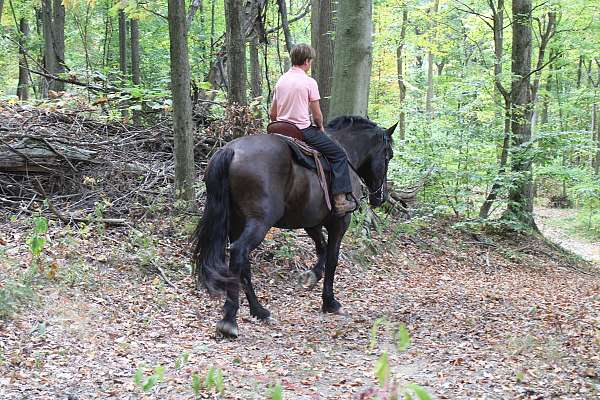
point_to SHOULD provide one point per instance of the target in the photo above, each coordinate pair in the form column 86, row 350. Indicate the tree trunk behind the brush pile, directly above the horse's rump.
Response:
column 236, row 51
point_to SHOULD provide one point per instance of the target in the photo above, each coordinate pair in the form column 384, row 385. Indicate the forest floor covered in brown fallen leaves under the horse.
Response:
column 492, row 317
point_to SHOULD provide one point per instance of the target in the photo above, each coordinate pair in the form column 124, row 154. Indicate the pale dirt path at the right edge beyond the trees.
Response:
column 584, row 248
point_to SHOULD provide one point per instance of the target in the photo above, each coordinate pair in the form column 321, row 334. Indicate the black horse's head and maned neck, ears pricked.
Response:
column 373, row 147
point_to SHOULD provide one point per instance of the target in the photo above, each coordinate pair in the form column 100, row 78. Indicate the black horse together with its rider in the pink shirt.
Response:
column 254, row 183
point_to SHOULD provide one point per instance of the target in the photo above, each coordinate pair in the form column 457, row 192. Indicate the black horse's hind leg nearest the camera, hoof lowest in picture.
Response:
column 253, row 233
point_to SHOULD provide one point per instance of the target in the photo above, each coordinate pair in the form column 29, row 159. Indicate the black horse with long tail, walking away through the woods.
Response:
column 253, row 184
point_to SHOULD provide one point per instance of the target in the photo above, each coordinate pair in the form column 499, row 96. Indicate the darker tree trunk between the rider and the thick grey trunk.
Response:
column 322, row 28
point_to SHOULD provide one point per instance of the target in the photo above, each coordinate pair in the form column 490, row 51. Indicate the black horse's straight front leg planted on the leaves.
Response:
column 336, row 232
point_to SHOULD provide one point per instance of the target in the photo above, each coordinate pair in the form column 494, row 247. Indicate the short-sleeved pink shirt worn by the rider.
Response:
column 293, row 91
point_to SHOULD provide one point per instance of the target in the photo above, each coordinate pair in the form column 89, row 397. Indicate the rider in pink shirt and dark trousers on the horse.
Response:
column 295, row 95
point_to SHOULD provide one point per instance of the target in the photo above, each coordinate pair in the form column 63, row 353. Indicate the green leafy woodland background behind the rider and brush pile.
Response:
column 443, row 68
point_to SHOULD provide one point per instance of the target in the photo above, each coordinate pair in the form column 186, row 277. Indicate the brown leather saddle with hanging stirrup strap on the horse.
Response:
column 290, row 133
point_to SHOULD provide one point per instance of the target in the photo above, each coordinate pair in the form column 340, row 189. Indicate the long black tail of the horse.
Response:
column 211, row 234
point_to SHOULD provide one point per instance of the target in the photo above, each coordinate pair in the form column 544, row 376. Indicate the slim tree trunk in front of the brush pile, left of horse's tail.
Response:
column 182, row 103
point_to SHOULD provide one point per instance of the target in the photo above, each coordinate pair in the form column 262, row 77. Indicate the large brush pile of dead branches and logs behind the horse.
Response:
column 81, row 166
